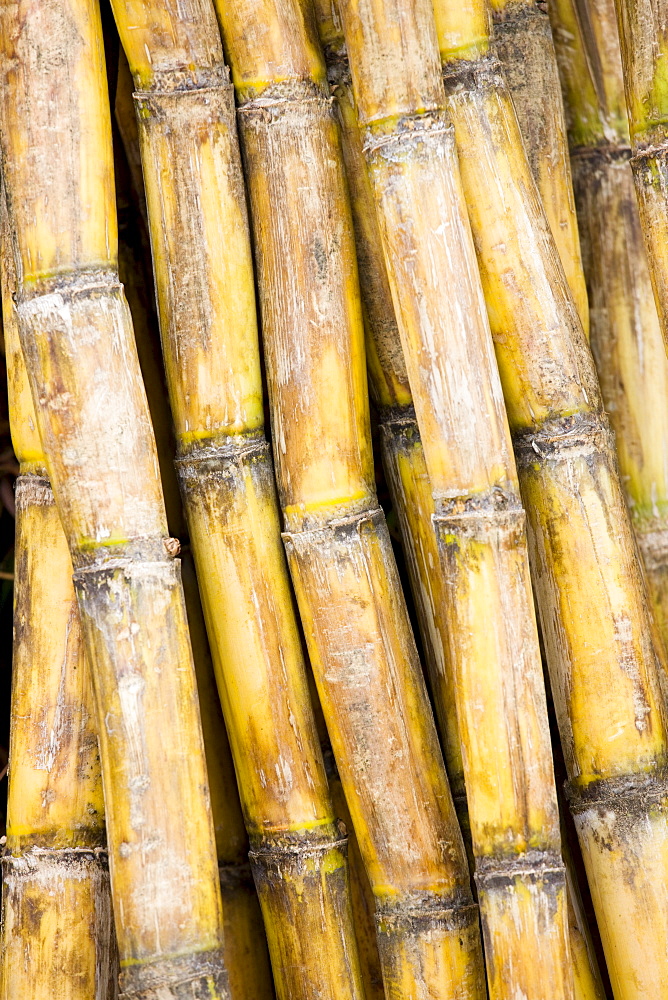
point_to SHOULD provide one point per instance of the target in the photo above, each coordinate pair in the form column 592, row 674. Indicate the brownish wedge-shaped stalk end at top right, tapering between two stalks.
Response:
column 524, row 45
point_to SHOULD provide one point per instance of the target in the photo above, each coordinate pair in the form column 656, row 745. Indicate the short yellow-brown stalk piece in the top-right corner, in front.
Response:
column 643, row 34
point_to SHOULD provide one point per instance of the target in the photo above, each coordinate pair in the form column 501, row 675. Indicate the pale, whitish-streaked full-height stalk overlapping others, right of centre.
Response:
column 449, row 355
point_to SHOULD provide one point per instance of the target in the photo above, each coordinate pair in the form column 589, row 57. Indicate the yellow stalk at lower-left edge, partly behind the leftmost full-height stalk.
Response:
column 57, row 928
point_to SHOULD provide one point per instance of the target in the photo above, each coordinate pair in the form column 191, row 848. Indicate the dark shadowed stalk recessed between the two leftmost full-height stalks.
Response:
column 244, row 942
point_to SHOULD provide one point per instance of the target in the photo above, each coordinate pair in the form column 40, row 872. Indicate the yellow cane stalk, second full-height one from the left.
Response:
column 204, row 280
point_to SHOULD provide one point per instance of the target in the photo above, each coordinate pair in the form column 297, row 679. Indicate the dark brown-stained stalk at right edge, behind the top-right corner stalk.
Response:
column 626, row 336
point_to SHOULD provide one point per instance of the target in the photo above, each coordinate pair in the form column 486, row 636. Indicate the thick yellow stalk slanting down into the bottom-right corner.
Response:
column 603, row 649
